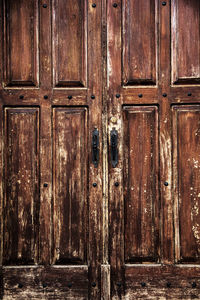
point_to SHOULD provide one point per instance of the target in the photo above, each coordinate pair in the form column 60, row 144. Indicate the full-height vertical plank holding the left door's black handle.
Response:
column 95, row 121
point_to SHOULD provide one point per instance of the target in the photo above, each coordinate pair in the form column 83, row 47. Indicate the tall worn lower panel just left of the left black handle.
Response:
column 70, row 178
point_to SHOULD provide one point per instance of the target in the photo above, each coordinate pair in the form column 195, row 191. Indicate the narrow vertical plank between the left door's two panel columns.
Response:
column 46, row 134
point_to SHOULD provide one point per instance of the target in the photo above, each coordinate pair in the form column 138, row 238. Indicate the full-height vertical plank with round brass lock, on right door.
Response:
column 116, row 209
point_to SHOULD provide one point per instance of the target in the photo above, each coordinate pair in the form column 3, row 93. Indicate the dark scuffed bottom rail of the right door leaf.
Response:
column 162, row 282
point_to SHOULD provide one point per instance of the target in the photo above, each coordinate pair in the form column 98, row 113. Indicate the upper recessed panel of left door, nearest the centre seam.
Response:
column 69, row 43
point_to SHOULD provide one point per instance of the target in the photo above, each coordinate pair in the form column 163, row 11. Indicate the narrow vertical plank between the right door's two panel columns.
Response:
column 165, row 134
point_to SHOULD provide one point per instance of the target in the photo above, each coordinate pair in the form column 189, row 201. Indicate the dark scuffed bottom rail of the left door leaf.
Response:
column 46, row 283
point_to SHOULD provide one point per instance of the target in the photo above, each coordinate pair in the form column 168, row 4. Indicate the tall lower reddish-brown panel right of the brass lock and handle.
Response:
column 141, row 183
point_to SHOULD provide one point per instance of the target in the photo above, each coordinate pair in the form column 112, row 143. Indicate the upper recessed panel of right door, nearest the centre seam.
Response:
column 139, row 42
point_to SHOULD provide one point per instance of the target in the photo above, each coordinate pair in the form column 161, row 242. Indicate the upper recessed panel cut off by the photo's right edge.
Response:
column 185, row 31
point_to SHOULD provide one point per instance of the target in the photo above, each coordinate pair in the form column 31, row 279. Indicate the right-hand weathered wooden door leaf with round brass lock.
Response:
column 154, row 108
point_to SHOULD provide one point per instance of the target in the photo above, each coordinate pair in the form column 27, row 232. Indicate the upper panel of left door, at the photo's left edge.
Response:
column 20, row 43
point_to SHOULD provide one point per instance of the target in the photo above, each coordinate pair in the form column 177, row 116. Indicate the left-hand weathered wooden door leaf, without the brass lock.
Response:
column 50, row 104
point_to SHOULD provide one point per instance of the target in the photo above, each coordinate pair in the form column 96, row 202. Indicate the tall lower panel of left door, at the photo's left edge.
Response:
column 21, row 182
